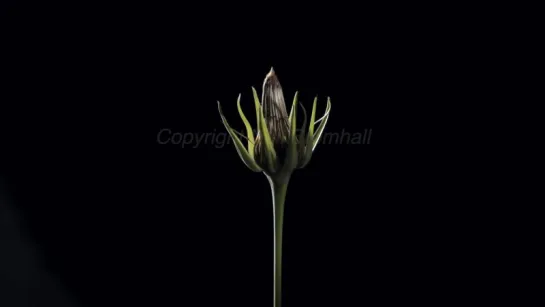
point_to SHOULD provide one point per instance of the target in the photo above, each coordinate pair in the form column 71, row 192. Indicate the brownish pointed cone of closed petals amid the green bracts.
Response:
column 276, row 119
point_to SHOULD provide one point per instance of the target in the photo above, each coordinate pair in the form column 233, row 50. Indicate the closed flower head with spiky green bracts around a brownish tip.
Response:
column 277, row 149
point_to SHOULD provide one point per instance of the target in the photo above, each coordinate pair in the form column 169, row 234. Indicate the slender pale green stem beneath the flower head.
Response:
column 279, row 196
